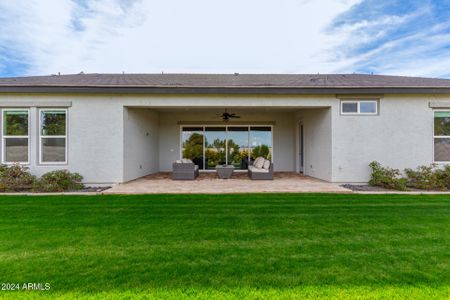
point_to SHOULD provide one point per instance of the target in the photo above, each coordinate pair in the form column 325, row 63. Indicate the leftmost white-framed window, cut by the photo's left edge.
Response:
column 15, row 134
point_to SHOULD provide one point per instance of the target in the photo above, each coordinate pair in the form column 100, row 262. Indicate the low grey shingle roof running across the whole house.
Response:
column 220, row 82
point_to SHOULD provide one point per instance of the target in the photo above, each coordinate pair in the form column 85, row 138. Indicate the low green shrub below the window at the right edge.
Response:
column 426, row 178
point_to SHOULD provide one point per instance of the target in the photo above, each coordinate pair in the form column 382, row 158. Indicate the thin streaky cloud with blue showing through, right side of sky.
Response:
column 414, row 44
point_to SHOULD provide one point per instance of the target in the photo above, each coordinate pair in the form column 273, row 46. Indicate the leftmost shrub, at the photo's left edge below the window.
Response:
column 15, row 178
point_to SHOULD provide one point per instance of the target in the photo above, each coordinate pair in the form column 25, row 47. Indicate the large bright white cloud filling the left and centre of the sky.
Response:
column 285, row 36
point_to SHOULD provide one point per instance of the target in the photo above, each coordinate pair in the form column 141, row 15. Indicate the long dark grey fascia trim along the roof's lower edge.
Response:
column 225, row 90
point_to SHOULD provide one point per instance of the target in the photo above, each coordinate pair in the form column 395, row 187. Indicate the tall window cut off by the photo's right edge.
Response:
column 442, row 136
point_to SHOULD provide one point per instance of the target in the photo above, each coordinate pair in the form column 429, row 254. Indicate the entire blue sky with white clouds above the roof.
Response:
column 392, row 37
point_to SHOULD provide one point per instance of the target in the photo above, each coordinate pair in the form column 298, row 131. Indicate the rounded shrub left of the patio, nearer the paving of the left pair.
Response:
column 58, row 181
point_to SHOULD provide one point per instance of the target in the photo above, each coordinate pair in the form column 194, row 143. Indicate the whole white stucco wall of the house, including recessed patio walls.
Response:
column 337, row 148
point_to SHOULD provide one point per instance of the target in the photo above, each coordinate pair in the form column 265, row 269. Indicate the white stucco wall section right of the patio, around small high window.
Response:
column 400, row 136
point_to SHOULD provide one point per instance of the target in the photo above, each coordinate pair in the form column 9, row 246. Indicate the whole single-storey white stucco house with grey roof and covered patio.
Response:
column 113, row 128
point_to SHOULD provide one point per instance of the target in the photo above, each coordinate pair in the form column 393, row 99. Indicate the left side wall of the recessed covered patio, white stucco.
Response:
column 141, row 142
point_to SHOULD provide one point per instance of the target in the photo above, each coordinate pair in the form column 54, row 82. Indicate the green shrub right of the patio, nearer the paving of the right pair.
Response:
column 386, row 177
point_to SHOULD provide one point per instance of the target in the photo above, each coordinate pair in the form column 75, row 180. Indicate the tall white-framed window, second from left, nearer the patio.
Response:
column 53, row 136
